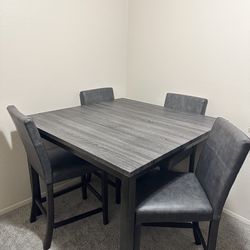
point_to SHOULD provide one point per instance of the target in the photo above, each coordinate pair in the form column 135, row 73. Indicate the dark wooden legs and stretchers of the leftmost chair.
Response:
column 37, row 207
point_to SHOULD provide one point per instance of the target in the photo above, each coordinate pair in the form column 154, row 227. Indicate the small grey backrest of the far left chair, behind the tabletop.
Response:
column 93, row 96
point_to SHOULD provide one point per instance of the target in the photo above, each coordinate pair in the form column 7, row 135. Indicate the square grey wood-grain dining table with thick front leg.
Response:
column 125, row 138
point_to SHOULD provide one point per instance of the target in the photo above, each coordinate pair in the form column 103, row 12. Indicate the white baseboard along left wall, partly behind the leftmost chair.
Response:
column 27, row 201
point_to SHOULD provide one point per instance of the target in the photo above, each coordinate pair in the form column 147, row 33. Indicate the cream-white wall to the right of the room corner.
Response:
column 199, row 48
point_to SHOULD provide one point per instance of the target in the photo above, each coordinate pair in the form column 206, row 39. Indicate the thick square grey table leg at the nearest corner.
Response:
column 128, row 196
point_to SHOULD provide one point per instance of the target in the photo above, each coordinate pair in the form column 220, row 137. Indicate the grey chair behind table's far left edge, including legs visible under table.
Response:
column 94, row 96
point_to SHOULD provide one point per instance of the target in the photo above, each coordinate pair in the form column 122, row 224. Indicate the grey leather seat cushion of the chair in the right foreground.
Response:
column 171, row 197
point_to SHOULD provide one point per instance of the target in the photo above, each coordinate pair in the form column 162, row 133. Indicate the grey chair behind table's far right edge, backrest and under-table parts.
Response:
column 186, row 104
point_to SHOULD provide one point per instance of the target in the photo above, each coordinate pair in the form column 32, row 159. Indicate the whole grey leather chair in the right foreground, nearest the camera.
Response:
column 184, row 199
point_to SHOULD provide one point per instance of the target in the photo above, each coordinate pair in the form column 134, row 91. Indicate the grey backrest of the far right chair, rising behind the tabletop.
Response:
column 185, row 103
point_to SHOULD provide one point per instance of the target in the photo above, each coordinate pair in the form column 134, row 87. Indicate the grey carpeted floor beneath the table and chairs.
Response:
column 89, row 234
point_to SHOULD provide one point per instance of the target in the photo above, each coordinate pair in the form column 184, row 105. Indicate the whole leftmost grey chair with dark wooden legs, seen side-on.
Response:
column 52, row 166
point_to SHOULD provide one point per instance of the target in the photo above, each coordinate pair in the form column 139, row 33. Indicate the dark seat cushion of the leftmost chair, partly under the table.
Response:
column 66, row 165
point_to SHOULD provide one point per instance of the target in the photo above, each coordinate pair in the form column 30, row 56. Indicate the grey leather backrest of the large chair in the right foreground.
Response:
column 220, row 161
